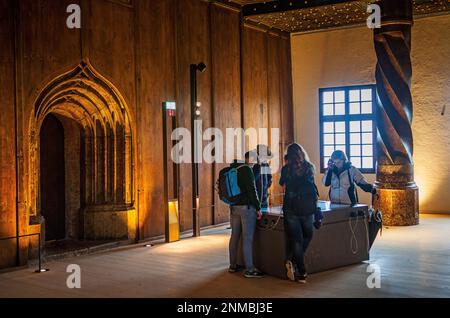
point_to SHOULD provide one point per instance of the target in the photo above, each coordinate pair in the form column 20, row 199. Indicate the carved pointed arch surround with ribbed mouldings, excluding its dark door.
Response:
column 83, row 96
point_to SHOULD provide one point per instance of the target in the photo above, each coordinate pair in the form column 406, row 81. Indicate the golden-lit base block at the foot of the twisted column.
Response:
column 400, row 206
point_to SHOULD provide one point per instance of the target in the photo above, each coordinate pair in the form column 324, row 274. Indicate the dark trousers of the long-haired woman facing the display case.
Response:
column 298, row 233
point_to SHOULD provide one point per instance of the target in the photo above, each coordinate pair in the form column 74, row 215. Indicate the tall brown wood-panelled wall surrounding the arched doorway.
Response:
column 144, row 48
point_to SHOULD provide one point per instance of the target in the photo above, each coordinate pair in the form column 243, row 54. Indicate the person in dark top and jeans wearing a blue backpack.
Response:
column 245, row 210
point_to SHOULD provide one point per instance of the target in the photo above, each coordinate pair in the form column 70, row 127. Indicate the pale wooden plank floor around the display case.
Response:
column 414, row 262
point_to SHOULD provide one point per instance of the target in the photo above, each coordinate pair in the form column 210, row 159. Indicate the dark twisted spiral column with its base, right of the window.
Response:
column 398, row 193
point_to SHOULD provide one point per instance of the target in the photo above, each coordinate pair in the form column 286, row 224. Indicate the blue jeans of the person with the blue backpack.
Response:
column 243, row 224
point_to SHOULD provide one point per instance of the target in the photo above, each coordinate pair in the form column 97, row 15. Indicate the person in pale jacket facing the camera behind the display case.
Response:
column 341, row 176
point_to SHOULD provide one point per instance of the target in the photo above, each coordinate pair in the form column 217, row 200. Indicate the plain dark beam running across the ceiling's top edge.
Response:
column 285, row 5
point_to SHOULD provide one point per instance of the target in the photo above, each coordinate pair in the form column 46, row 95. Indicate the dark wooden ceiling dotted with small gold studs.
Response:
column 328, row 16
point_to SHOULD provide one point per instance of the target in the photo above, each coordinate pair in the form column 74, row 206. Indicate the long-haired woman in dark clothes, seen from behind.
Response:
column 299, row 209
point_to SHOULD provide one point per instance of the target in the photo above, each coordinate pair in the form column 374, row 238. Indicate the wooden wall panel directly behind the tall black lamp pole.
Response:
column 193, row 47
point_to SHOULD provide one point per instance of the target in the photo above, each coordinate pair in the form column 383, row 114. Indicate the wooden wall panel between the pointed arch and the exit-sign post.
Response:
column 156, row 82
